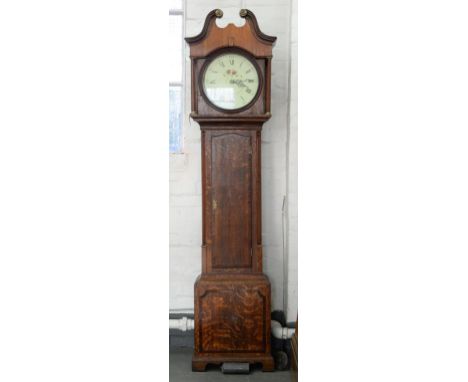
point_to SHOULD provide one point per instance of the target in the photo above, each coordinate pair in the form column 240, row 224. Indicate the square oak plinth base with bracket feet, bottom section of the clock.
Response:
column 232, row 320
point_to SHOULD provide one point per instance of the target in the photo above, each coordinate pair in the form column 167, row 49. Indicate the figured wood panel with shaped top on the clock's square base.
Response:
column 233, row 320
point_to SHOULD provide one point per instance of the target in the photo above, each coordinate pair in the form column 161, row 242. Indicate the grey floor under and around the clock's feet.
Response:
column 180, row 370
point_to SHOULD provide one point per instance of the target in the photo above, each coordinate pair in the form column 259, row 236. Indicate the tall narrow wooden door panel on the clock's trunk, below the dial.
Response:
column 231, row 204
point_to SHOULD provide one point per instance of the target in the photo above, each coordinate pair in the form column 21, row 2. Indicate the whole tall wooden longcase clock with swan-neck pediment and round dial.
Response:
column 230, row 82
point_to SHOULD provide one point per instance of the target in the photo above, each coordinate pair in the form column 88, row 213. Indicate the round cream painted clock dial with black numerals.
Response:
column 231, row 81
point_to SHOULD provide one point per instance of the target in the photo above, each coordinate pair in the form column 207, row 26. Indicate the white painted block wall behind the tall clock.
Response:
column 279, row 163
